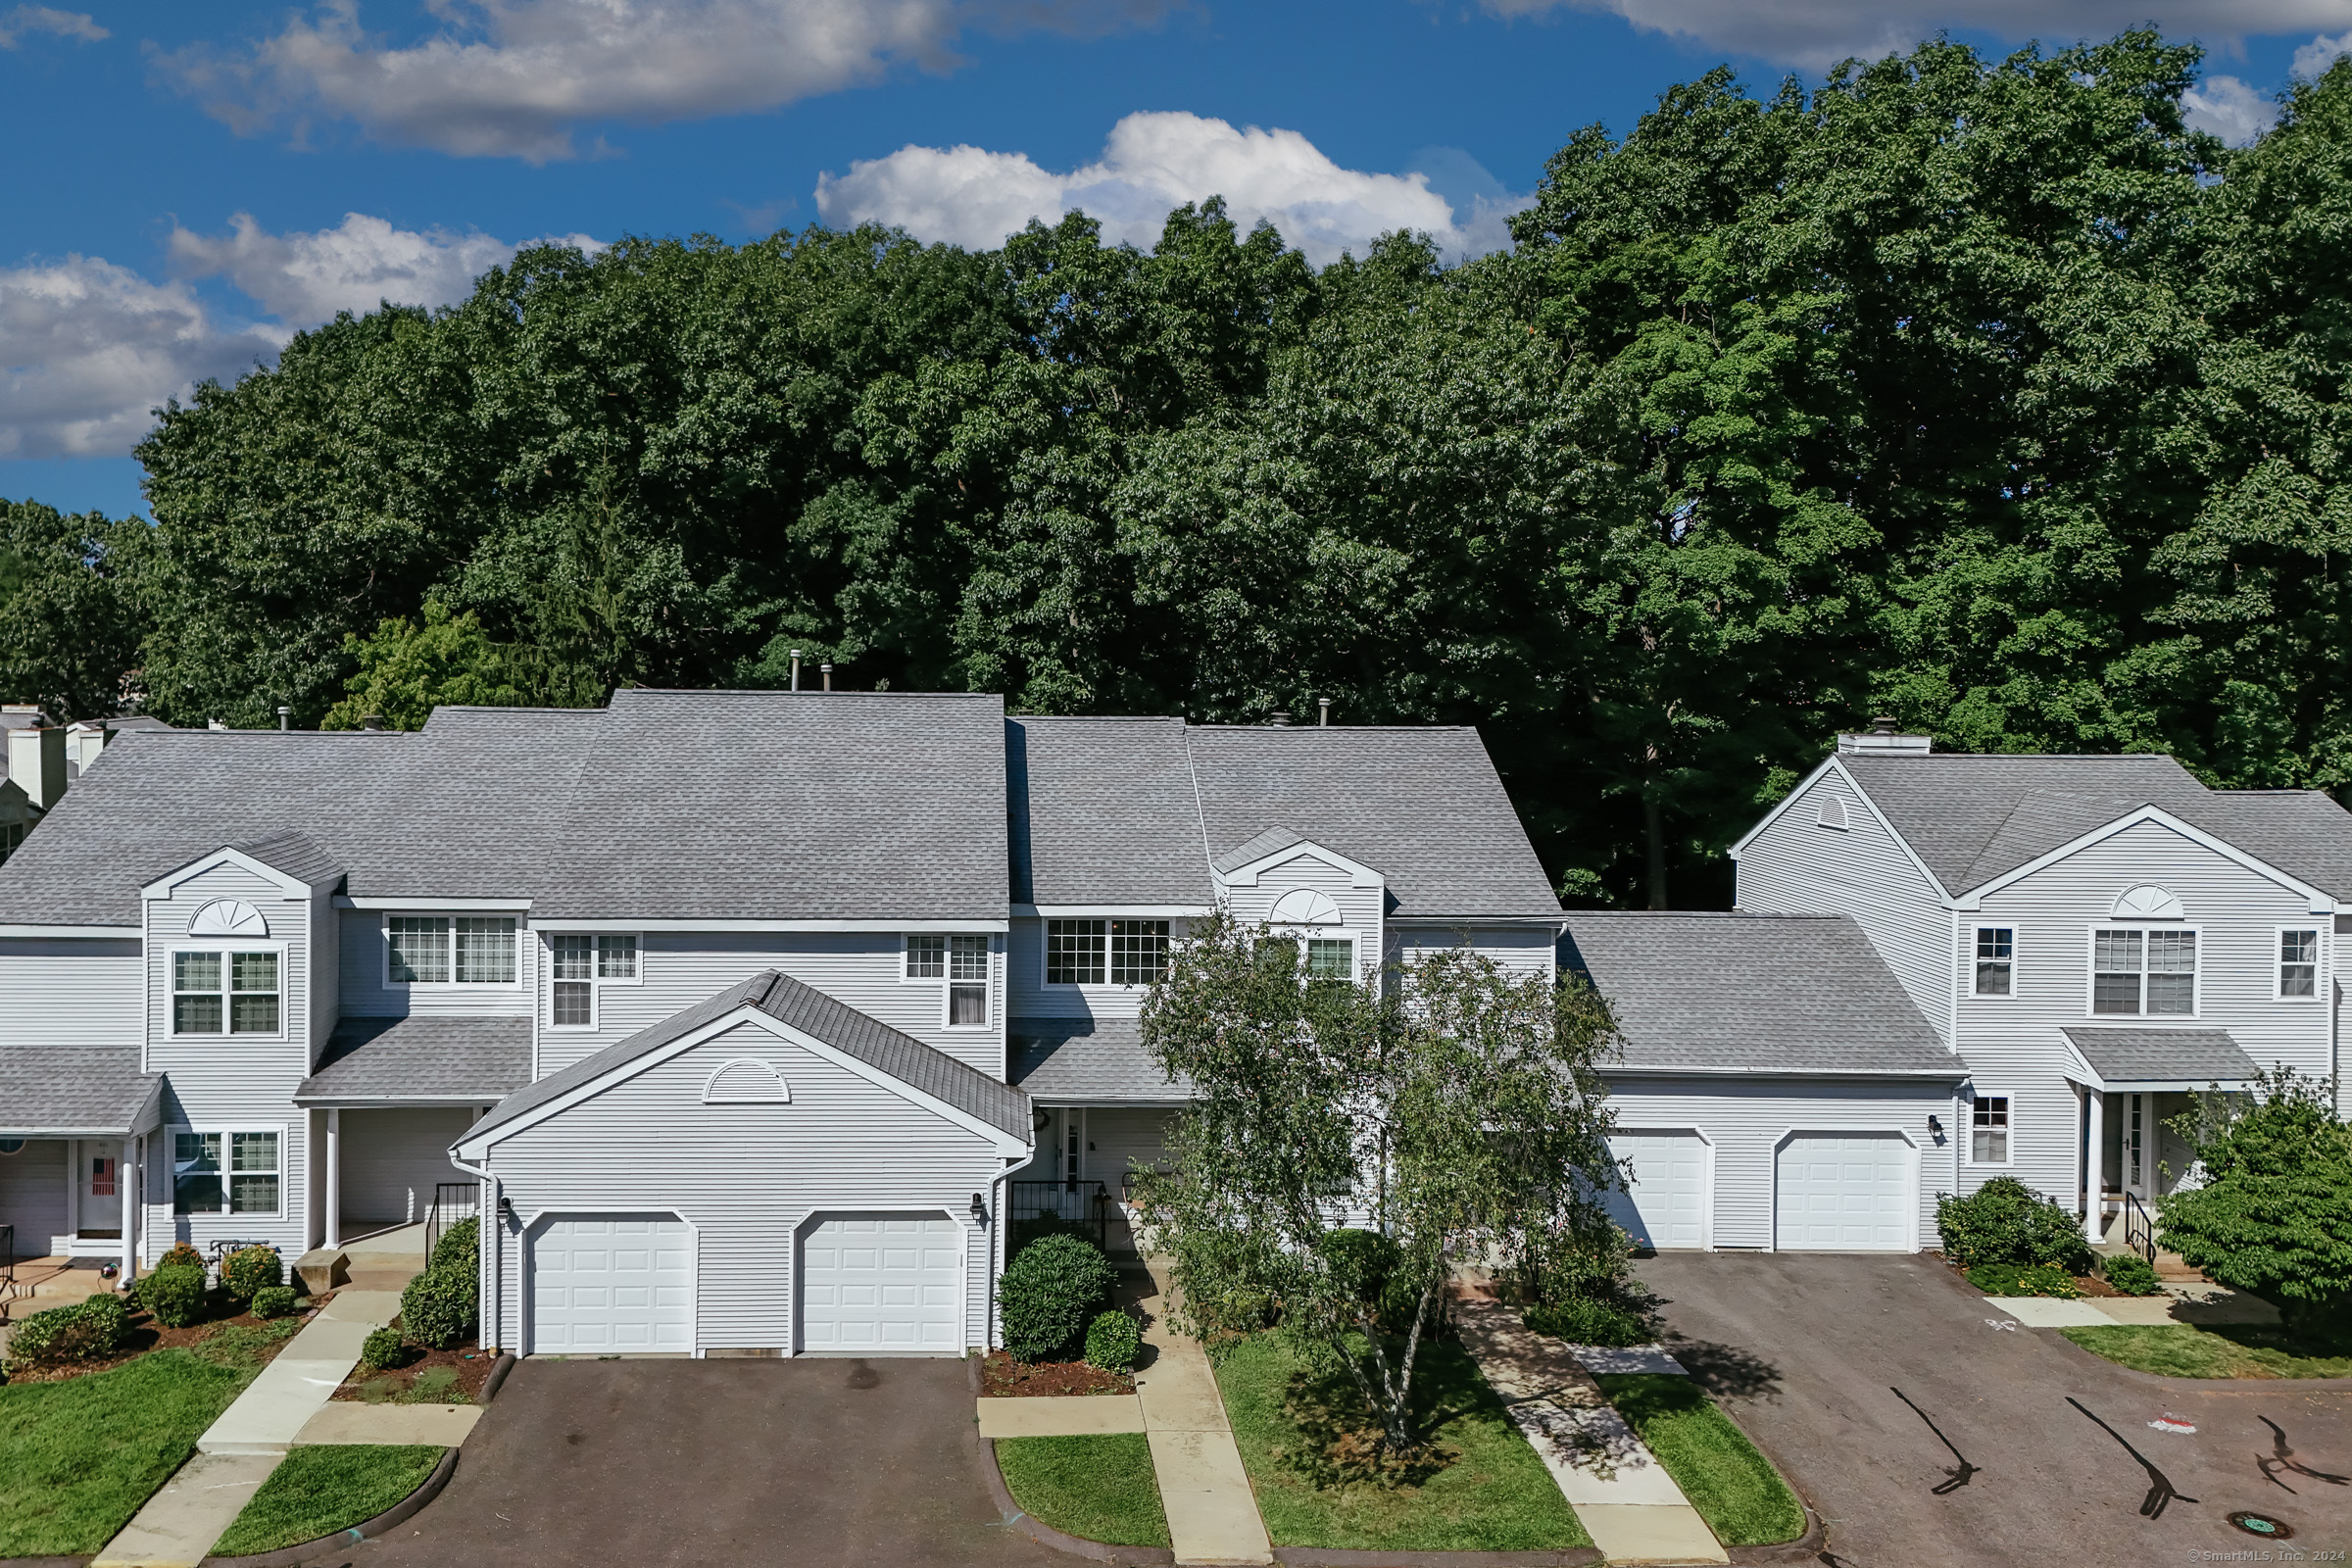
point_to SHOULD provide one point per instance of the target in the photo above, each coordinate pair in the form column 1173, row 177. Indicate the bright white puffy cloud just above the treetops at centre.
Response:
column 1154, row 163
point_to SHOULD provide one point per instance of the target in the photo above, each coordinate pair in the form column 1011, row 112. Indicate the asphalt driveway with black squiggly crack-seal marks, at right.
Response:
column 1810, row 1355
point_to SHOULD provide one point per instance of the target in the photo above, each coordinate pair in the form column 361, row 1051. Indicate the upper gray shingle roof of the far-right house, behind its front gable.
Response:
column 1975, row 819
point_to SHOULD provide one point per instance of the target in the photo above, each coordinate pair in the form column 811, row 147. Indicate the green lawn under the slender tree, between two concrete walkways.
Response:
column 1497, row 1496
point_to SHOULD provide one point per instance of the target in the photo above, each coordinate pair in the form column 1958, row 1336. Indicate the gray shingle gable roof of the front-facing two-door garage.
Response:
column 810, row 1012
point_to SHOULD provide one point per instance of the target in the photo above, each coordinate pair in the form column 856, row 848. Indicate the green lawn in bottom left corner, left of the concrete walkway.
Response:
column 81, row 1456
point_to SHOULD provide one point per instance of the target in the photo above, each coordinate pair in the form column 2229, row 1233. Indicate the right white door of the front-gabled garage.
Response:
column 883, row 1285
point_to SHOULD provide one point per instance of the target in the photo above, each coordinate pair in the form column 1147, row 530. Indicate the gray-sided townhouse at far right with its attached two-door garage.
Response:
column 2076, row 946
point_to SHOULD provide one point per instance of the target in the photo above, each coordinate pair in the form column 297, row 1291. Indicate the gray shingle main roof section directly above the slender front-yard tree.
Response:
column 1424, row 808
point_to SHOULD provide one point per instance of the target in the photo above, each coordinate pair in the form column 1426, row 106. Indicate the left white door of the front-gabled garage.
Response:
column 613, row 1285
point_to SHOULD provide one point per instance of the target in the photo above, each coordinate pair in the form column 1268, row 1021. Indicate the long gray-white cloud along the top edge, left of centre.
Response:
column 514, row 79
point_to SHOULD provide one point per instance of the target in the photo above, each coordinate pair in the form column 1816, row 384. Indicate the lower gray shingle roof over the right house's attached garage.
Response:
column 1753, row 993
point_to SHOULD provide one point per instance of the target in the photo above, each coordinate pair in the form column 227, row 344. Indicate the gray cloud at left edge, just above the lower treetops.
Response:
column 88, row 349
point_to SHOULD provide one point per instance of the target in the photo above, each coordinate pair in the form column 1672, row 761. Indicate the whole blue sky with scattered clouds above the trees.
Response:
column 180, row 182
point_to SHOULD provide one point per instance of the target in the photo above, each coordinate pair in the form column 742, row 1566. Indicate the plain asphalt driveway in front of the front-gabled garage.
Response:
column 639, row 1463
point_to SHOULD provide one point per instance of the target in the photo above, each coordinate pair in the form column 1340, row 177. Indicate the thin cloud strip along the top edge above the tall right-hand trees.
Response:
column 1824, row 32
